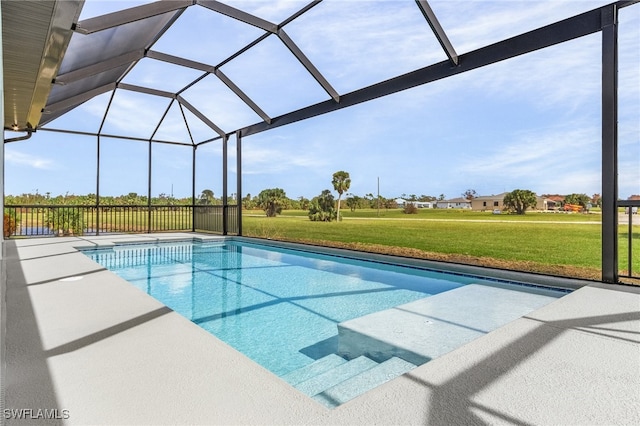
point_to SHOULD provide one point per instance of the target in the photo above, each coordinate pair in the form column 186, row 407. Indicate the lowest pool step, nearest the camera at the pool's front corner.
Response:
column 363, row 382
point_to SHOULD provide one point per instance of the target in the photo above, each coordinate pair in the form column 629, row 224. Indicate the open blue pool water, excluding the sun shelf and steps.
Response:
column 279, row 307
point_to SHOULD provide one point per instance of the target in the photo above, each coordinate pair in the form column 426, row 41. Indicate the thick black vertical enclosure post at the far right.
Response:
column 609, row 144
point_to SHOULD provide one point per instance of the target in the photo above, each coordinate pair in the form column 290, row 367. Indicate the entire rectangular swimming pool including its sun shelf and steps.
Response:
column 331, row 326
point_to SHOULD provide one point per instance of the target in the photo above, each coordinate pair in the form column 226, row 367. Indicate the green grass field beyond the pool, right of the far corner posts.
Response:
column 559, row 244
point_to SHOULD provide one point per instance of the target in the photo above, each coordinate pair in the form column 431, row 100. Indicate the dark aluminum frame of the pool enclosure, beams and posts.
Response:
column 602, row 19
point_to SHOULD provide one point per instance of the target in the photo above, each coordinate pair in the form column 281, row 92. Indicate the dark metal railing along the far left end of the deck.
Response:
column 46, row 220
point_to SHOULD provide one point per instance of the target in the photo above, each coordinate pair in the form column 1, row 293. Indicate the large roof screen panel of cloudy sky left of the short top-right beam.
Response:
column 357, row 43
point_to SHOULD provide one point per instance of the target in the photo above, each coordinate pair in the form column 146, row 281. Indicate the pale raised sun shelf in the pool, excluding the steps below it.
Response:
column 427, row 328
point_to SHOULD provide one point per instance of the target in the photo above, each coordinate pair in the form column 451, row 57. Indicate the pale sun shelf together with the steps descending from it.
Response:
column 386, row 344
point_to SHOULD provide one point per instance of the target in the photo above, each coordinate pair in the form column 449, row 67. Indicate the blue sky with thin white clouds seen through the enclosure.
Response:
column 531, row 122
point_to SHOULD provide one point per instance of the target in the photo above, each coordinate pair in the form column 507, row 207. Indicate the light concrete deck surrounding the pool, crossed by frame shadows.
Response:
column 82, row 341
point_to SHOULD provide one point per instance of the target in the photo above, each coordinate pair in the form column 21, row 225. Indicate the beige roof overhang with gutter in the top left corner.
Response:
column 35, row 36
